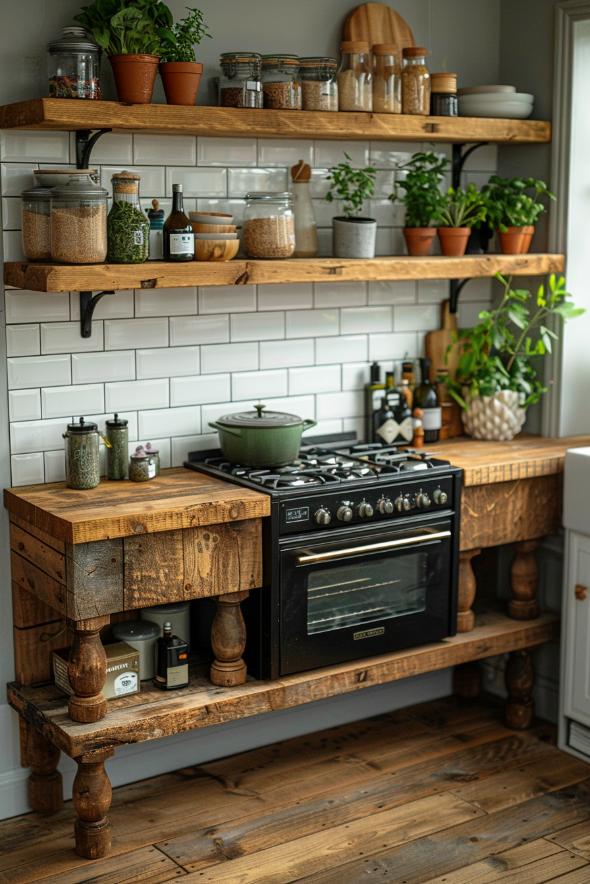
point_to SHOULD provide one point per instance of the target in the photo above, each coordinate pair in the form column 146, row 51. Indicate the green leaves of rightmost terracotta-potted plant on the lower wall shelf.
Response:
column 514, row 202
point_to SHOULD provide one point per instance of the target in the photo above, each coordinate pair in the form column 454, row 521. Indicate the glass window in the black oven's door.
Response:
column 366, row 590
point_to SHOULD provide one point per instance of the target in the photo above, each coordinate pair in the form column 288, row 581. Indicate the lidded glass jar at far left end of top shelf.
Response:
column 74, row 65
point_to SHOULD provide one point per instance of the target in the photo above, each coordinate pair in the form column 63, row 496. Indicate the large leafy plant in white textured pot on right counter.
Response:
column 496, row 378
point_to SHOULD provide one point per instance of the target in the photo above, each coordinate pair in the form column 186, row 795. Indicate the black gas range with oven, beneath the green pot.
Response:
column 360, row 553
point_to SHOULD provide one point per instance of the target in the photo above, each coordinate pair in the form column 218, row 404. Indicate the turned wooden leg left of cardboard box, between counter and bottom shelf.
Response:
column 87, row 670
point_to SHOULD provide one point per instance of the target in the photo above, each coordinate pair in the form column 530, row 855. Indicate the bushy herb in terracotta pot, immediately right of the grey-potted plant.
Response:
column 421, row 195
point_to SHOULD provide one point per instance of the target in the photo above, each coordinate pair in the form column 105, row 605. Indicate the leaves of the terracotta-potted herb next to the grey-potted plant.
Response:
column 419, row 190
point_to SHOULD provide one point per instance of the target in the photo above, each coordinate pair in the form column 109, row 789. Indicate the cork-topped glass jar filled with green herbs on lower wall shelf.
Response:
column 128, row 228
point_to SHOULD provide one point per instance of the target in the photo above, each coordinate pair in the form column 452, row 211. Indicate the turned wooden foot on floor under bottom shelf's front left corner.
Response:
column 91, row 794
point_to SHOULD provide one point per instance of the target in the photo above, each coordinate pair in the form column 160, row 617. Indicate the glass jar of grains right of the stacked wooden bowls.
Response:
column 268, row 229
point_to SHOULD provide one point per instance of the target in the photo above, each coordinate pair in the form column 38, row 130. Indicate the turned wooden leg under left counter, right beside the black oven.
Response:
column 228, row 640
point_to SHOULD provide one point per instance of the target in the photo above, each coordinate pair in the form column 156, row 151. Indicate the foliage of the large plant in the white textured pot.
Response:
column 498, row 353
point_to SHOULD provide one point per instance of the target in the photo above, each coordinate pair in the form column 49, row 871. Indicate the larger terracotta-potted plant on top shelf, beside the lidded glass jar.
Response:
column 132, row 34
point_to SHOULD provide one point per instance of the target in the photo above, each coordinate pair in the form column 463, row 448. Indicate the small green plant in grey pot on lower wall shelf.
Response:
column 353, row 235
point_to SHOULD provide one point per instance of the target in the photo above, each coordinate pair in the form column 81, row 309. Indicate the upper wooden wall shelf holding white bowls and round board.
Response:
column 71, row 114
